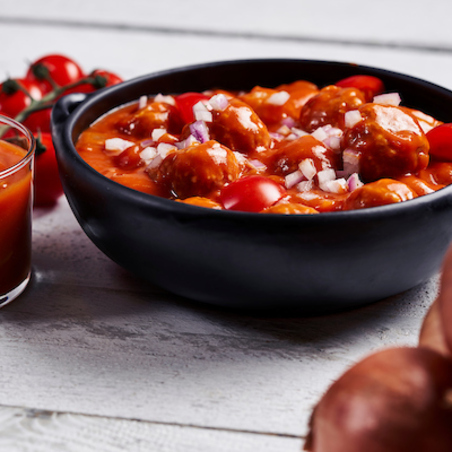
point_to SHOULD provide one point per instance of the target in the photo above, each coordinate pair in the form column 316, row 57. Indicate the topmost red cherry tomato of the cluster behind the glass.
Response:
column 61, row 69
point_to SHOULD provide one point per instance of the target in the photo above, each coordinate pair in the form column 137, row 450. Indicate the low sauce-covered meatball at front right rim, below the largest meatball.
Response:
column 379, row 193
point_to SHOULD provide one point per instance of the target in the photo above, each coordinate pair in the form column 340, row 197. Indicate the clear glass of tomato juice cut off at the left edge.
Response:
column 17, row 147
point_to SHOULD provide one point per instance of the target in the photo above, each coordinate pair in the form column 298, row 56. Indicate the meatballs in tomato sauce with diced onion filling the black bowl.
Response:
column 293, row 149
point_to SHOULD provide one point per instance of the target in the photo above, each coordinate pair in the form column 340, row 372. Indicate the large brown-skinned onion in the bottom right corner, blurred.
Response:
column 396, row 400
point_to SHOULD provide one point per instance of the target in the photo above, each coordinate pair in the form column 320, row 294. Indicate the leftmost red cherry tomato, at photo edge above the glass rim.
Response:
column 13, row 100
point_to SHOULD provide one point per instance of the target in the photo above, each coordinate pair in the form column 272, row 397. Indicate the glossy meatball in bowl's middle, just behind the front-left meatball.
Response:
column 239, row 128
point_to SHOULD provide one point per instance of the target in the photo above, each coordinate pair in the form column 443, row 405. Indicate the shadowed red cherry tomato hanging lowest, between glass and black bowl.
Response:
column 47, row 182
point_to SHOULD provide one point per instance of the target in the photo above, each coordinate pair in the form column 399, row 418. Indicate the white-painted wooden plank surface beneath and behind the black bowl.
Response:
column 92, row 358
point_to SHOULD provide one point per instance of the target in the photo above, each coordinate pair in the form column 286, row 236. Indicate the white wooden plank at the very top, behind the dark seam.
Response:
column 386, row 23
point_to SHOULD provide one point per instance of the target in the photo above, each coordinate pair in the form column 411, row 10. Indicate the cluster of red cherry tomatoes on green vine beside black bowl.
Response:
column 30, row 99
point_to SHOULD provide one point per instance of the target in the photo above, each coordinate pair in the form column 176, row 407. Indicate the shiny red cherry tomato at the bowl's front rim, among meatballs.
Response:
column 251, row 194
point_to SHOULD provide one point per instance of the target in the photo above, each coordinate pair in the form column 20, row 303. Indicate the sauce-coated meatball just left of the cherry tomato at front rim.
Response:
column 198, row 170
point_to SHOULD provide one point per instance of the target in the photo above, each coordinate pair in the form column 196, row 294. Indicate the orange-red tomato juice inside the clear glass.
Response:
column 15, row 218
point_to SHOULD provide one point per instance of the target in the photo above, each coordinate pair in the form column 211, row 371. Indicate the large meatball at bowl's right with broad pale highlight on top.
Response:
column 388, row 141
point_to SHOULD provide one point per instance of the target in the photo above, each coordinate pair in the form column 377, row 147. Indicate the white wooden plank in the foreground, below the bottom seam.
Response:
column 22, row 430
